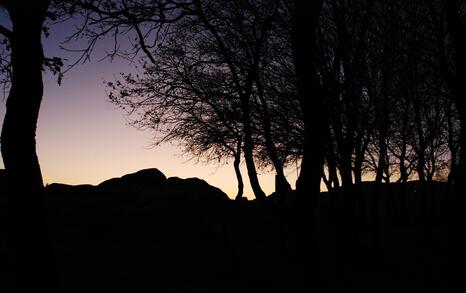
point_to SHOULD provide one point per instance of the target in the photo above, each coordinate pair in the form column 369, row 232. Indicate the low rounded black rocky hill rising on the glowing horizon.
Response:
column 148, row 187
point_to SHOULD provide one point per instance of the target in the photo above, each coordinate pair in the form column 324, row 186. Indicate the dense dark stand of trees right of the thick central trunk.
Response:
column 391, row 117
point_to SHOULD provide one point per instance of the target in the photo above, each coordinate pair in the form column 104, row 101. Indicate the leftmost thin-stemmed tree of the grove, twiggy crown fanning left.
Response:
column 183, row 103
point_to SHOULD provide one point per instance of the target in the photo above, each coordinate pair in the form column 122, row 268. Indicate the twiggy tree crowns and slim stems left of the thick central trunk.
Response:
column 213, row 59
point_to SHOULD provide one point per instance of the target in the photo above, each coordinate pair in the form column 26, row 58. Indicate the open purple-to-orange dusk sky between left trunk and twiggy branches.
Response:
column 83, row 139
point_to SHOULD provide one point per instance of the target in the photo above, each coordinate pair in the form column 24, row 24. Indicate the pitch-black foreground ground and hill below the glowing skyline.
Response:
column 184, row 236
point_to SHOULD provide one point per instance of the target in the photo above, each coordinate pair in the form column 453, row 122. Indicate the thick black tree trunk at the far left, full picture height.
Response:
column 27, row 237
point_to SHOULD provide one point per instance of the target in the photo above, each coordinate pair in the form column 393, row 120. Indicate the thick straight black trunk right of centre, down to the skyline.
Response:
column 306, row 17
